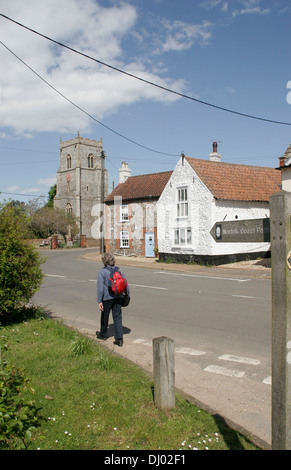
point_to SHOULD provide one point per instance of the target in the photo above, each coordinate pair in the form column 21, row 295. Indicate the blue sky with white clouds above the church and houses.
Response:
column 230, row 59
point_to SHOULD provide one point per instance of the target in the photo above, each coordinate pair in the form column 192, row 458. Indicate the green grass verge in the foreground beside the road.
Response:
column 90, row 399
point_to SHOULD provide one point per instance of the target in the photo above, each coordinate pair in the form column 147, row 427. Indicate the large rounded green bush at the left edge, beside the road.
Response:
column 20, row 272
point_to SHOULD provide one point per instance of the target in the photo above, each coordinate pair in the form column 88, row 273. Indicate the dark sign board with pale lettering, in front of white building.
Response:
column 242, row 231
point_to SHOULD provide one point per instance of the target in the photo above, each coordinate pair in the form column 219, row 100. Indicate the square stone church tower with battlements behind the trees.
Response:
column 82, row 181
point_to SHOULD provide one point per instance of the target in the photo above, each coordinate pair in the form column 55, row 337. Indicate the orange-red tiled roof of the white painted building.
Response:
column 235, row 182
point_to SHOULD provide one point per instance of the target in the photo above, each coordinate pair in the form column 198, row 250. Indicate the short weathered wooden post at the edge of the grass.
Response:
column 164, row 372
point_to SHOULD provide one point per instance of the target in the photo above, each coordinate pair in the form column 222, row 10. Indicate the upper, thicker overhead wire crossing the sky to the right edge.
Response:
column 221, row 108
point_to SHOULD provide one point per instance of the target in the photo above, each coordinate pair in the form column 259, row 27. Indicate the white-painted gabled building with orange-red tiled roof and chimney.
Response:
column 201, row 193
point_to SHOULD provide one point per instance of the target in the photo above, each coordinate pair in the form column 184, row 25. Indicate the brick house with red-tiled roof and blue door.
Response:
column 130, row 213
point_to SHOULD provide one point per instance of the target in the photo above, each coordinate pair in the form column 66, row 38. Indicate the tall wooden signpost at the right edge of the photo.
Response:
column 280, row 207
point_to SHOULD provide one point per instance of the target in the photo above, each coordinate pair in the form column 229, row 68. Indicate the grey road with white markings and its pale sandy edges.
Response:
column 222, row 331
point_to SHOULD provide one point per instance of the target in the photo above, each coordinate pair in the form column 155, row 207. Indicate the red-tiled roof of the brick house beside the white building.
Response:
column 141, row 187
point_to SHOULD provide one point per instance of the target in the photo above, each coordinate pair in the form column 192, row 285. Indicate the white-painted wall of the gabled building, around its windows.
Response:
column 203, row 212
